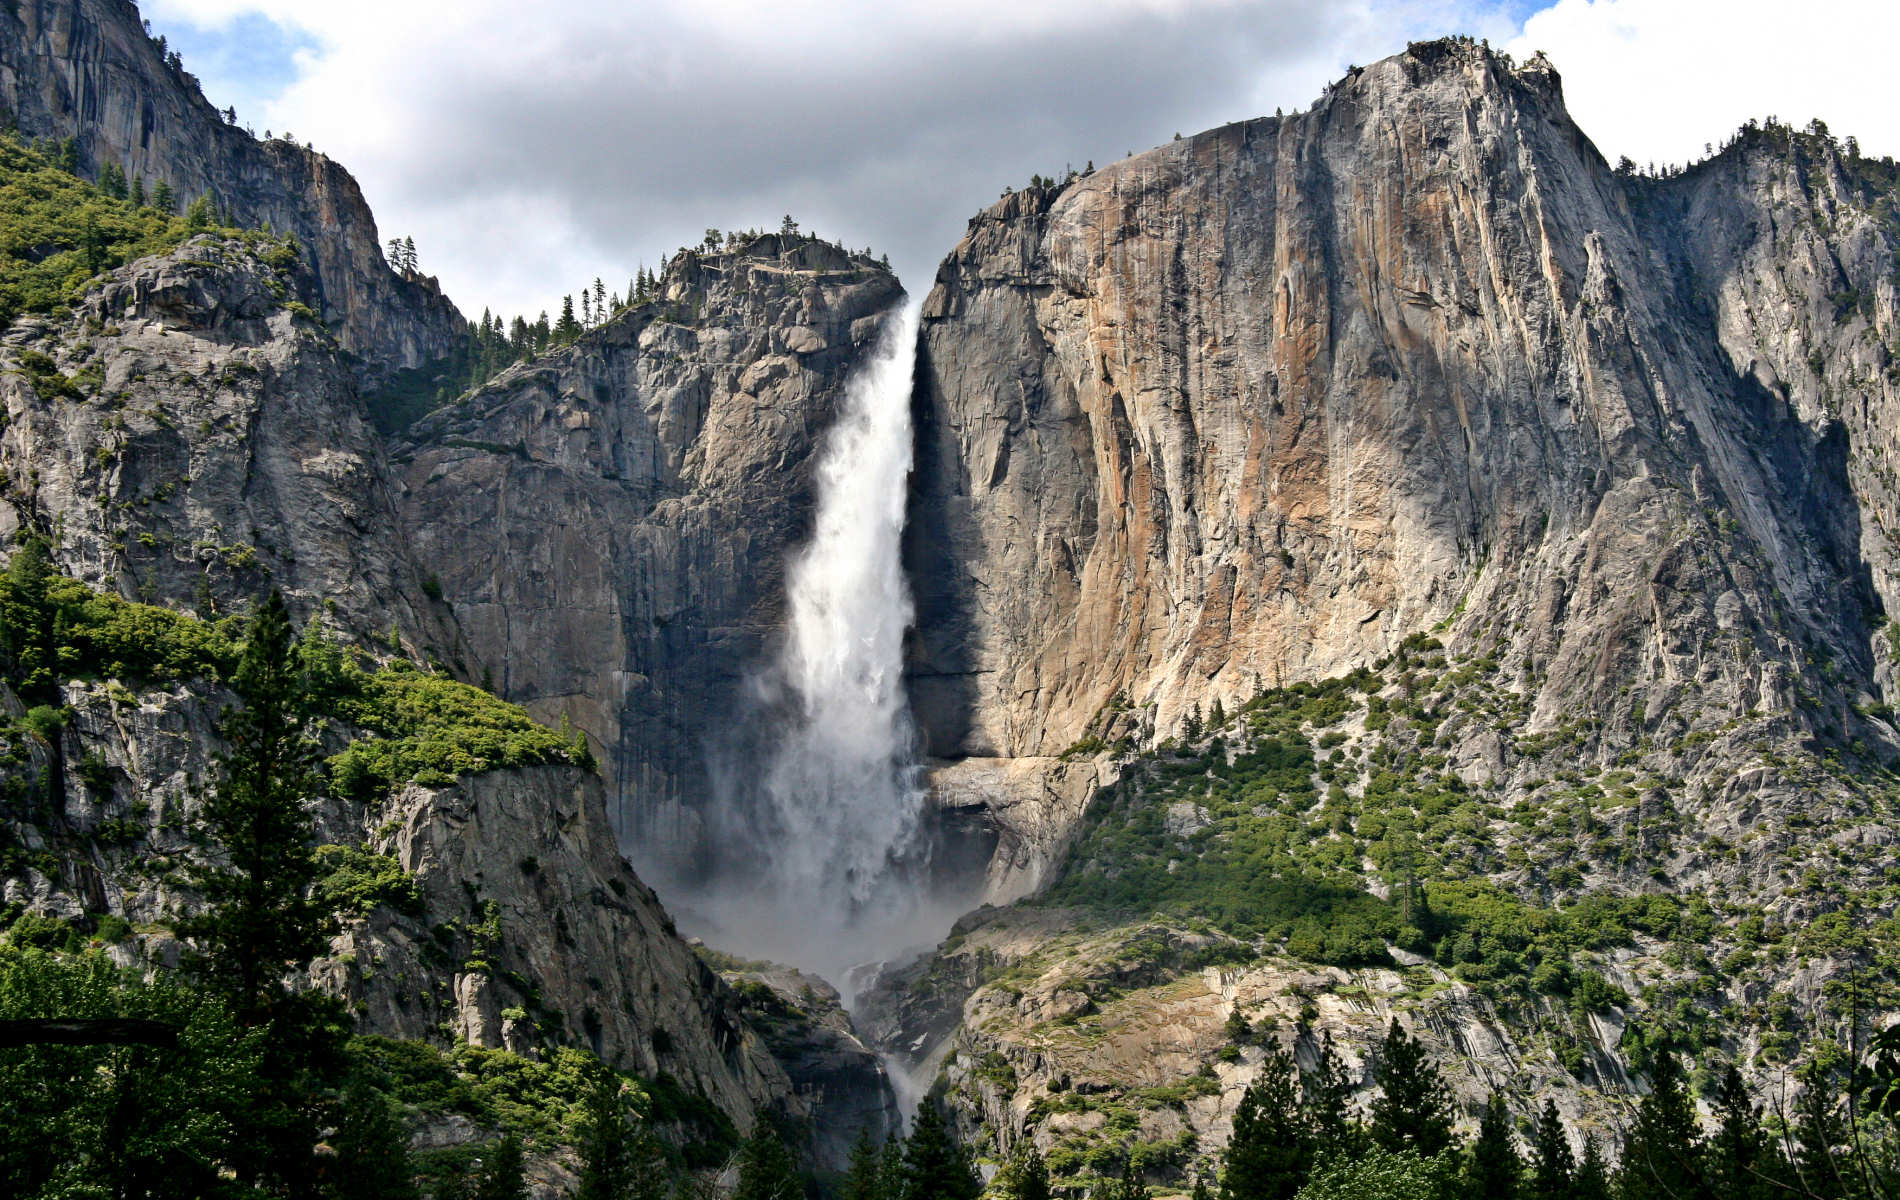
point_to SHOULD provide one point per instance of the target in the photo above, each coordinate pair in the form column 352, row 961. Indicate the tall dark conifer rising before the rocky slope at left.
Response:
column 261, row 916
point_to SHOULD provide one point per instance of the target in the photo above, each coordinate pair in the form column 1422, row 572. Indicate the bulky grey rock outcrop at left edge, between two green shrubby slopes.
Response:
column 193, row 438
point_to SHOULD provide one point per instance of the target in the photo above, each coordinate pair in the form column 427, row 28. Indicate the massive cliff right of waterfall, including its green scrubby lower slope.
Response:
column 1407, row 498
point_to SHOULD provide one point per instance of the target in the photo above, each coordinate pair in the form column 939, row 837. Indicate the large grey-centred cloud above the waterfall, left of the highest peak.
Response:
column 529, row 149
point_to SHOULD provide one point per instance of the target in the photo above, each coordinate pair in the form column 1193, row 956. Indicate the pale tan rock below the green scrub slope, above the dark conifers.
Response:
column 1057, row 1030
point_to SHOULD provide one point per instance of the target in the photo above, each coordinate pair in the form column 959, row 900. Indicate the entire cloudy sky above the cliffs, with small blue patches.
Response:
column 533, row 147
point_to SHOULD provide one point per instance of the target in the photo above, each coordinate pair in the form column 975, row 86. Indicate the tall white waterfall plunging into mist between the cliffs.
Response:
column 822, row 846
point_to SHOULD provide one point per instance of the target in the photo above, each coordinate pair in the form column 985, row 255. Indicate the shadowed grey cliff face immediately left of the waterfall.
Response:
column 613, row 523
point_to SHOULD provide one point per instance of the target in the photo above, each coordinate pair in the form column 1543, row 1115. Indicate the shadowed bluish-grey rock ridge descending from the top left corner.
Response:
column 85, row 69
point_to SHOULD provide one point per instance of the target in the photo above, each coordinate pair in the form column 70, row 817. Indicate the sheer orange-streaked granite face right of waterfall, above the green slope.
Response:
column 1261, row 403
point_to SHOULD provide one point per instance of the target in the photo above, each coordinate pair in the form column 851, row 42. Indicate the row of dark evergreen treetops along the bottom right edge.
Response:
column 1299, row 1136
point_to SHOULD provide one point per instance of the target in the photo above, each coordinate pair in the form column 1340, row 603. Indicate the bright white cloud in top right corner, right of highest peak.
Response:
column 1662, row 79
